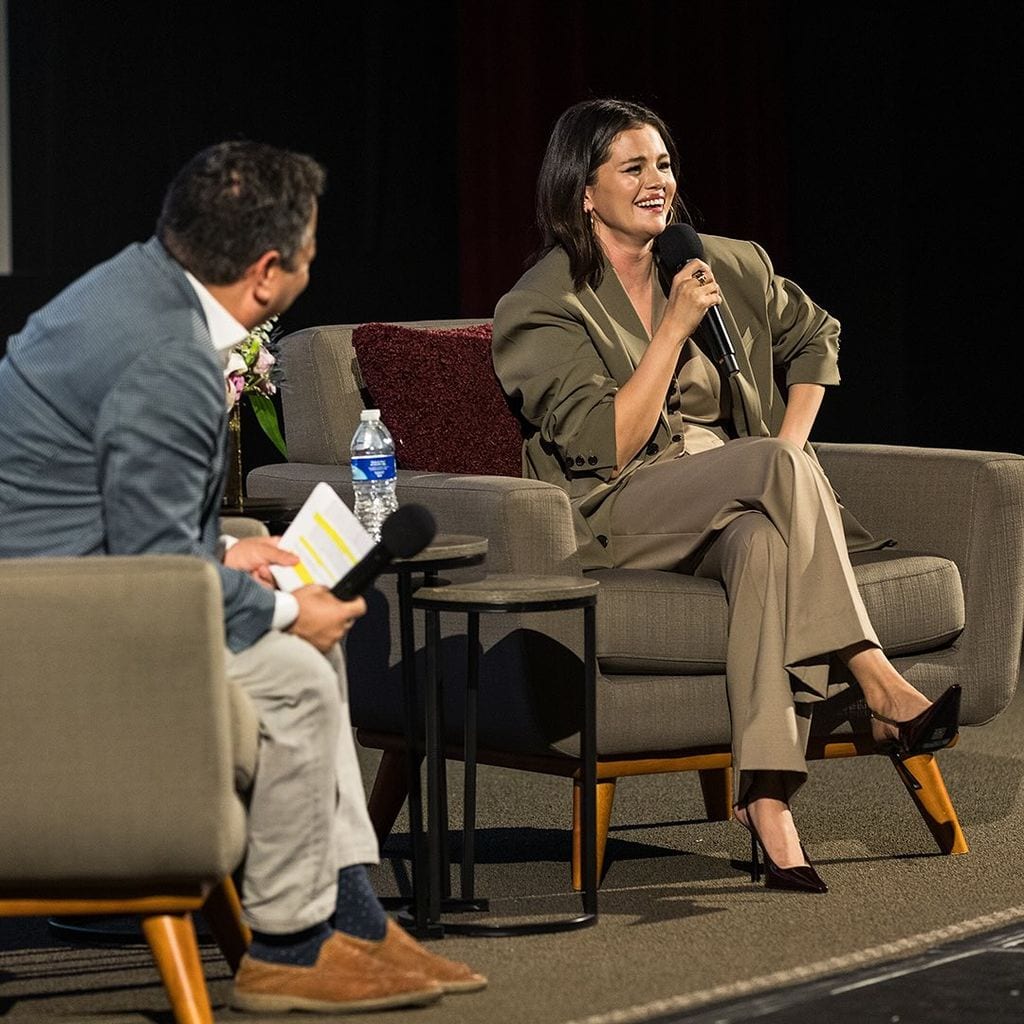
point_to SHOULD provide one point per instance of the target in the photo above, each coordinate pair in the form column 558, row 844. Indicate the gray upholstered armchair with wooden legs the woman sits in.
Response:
column 948, row 604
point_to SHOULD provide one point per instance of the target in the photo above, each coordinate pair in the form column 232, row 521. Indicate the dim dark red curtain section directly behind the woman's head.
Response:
column 713, row 72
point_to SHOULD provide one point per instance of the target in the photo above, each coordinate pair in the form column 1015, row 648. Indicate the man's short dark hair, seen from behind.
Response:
column 236, row 201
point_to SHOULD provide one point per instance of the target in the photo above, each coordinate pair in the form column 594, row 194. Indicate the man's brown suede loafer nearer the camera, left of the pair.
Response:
column 345, row 979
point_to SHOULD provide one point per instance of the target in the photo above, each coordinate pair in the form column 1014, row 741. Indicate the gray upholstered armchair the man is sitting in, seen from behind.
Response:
column 123, row 754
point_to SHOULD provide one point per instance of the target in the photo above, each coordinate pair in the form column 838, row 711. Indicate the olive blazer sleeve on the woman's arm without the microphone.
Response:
column 805, row 337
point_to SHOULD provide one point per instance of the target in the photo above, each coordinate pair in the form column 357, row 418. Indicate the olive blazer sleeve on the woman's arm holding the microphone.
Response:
column 550, row 369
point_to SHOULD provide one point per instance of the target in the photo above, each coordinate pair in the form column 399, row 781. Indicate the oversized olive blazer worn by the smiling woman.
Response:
column 563, row 355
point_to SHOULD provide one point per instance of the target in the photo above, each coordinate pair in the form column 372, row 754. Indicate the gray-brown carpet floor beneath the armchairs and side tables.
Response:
column 681, row 928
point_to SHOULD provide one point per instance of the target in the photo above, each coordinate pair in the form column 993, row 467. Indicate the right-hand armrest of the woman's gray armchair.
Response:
column 968, row 507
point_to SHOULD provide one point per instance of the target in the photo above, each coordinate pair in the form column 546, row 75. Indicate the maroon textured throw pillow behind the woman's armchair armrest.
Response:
column 440, row 398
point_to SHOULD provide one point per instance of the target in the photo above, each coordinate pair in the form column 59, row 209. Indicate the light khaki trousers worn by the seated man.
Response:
column 308, row 815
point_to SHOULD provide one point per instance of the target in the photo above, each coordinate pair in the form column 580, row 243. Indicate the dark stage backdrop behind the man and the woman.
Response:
column 872, row 151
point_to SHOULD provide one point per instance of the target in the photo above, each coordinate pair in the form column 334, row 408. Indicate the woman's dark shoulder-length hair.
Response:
column 580, row 143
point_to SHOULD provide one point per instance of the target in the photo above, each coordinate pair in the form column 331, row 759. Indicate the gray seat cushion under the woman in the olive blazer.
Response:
column 657, row 623
